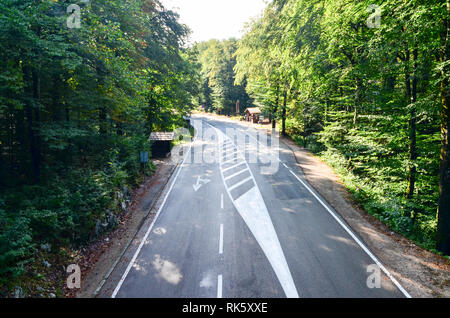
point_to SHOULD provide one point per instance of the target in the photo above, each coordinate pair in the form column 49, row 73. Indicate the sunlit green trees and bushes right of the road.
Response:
column 366, row 99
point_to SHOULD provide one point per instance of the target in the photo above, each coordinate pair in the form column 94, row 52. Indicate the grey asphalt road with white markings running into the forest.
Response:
column 233, row 229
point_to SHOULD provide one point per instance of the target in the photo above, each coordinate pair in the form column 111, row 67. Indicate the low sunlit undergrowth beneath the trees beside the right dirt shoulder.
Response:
column 372, row 166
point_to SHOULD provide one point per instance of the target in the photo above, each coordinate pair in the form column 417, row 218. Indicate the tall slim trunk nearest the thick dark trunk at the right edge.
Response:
column 412, row 170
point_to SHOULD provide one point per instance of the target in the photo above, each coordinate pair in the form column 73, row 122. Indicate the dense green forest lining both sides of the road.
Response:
column 364, row 85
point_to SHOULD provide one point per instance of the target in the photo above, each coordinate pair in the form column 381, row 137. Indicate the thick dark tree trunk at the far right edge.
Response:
column 443, row 227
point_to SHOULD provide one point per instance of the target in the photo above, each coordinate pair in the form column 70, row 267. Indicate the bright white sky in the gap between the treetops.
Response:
column 215, row 19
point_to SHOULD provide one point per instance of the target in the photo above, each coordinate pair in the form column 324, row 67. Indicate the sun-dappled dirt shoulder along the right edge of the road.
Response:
column 422, row 273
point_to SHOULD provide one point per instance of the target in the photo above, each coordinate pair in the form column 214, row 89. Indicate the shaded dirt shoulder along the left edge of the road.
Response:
column 99, row 259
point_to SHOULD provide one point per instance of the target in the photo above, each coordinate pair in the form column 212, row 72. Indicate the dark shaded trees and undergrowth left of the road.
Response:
column 76, row 108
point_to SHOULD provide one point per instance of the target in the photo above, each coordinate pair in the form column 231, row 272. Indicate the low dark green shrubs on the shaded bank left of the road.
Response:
column 62, row 211
